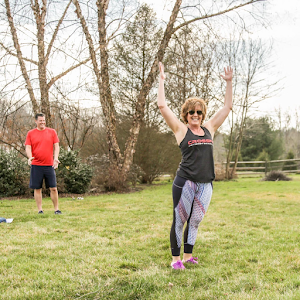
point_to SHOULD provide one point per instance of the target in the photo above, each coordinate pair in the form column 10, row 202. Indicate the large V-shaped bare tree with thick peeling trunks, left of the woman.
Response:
column 123, row 161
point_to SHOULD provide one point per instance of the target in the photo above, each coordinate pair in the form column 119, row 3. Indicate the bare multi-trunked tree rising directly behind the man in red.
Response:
column 40, row 45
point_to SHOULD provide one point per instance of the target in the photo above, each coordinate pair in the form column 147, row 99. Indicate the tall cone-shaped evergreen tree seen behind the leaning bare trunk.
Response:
column 132, row 61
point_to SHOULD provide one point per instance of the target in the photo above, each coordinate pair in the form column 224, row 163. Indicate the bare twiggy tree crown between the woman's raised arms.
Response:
column 192, row 62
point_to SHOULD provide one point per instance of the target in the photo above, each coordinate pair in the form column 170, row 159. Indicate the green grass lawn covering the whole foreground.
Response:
column 117, row 246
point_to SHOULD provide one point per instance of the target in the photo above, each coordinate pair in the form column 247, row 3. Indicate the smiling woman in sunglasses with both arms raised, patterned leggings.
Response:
column 192, row 186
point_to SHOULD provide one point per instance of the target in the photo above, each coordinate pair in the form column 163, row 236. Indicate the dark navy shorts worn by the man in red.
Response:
column 37, row 175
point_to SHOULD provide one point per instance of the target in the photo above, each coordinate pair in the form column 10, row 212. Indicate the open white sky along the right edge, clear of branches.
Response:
column 285, row 32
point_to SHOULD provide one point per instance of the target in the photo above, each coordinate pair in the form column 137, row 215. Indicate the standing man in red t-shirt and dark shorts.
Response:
column 42, row 149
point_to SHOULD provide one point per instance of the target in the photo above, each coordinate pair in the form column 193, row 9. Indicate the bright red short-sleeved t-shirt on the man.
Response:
column 41, row 142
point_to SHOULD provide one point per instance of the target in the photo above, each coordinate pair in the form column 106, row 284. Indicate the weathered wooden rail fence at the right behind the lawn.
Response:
column 264, row 167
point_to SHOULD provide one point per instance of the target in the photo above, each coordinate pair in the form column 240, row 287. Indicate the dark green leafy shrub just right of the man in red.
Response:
column 73, row 176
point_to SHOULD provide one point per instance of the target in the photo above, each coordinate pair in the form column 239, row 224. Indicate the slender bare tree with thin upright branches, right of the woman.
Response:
column 250, row 59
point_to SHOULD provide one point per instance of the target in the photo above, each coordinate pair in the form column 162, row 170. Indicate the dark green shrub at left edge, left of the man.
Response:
column 14, row 174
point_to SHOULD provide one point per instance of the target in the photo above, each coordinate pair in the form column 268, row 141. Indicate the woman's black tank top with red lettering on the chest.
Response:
column 197, row 162
